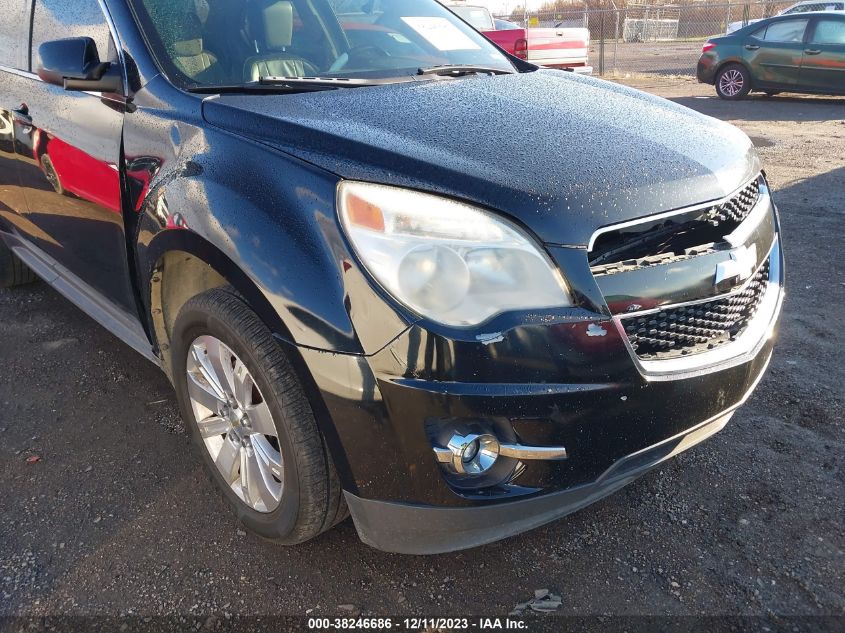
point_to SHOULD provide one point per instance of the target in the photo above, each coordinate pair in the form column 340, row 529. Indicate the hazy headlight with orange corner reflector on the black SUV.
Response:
column 446, row 260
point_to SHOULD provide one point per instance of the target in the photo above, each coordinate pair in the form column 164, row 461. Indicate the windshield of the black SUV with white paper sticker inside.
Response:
column 232, row 42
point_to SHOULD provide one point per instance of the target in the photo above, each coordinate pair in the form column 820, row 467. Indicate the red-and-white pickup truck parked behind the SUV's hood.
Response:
column 556, row 47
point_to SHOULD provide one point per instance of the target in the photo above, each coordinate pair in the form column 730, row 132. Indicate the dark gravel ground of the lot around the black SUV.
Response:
column 116, row 518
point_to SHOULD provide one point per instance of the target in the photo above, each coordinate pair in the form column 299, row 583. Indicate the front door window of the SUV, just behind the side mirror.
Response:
column 58, row 19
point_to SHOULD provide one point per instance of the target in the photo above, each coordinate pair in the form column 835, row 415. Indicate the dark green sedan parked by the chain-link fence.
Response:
column 804, row 53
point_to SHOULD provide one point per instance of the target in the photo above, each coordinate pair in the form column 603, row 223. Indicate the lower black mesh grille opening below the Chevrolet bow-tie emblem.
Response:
column 692, row 329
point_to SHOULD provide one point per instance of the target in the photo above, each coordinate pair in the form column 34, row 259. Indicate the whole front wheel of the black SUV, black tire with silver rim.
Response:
column 310, row 499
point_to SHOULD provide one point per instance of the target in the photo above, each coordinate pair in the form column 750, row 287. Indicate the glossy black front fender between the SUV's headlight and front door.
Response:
column 263, row 220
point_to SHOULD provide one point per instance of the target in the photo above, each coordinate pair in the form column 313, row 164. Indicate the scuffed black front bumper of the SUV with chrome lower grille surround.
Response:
column 571, row 385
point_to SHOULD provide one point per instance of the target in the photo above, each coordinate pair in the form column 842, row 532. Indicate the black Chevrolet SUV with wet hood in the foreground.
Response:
column 388, row 269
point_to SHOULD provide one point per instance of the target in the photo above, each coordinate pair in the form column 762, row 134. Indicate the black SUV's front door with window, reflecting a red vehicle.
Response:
column 70, row 164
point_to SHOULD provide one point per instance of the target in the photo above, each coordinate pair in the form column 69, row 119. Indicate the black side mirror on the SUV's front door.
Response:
column 74, row 64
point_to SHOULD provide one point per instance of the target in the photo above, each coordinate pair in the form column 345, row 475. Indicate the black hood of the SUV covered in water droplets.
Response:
column 562, row 154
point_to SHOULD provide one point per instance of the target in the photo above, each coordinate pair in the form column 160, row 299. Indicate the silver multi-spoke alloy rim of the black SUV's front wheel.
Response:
column 235, row 423
